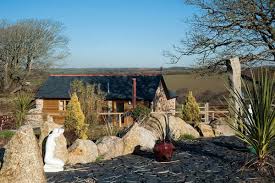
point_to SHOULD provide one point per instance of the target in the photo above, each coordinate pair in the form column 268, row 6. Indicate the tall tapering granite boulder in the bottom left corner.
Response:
column 22, row 160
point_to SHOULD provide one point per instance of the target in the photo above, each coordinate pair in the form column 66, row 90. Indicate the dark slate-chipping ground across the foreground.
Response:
column 212, row 160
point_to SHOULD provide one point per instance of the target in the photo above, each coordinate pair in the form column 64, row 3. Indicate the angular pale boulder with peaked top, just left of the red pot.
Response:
column 139, row 136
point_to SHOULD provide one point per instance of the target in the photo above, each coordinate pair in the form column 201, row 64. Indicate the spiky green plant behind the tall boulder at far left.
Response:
column 22, row 104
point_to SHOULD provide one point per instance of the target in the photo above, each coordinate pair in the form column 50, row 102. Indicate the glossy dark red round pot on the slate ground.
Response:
column 163, row 151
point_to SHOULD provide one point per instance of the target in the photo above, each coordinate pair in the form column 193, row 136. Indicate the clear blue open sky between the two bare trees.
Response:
column 111, row 33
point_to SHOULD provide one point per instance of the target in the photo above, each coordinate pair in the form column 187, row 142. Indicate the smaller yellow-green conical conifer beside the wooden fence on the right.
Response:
column 190, row 111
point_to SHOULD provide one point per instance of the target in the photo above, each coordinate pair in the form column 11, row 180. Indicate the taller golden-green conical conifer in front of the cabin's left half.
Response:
column 75, row 120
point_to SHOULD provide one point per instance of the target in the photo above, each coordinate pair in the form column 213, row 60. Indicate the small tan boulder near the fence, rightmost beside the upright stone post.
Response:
column 221, row 128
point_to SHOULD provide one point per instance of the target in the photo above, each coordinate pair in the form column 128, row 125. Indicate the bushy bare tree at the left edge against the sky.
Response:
column 26, row 46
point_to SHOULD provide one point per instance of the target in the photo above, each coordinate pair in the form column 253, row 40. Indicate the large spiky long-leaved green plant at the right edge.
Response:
column 256, row 125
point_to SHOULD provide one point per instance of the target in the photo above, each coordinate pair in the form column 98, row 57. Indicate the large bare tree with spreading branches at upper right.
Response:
column 226, row 28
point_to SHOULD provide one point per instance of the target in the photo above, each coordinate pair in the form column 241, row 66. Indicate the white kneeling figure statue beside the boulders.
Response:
column 53, row 164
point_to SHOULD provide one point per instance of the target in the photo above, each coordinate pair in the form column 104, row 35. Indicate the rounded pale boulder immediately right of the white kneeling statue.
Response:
column 82, row 151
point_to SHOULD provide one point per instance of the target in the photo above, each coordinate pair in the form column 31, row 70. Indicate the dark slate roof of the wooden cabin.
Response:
column 120, row 86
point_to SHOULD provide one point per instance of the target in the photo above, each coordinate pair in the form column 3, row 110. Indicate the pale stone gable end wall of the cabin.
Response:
column 161, row 103
